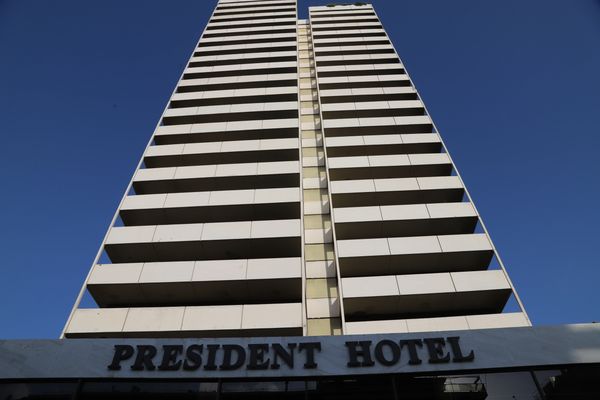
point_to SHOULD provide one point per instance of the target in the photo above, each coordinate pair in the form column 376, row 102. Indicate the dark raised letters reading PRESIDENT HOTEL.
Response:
column 272, row 356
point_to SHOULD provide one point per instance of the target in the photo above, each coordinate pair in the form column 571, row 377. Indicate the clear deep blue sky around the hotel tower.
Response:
column 513, row 85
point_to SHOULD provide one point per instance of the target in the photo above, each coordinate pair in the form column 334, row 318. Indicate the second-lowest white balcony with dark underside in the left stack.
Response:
column 192, row 283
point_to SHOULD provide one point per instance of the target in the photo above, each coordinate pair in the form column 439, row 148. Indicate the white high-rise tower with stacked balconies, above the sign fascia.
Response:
column 295, row 186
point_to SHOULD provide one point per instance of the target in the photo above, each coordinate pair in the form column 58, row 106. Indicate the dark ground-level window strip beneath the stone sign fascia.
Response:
column 568, row 383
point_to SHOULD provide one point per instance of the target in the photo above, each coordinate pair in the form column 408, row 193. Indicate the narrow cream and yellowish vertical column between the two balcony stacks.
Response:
column 322, row 295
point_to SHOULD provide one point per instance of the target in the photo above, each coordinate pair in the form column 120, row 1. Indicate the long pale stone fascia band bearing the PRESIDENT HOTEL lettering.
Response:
column 298, row 357
